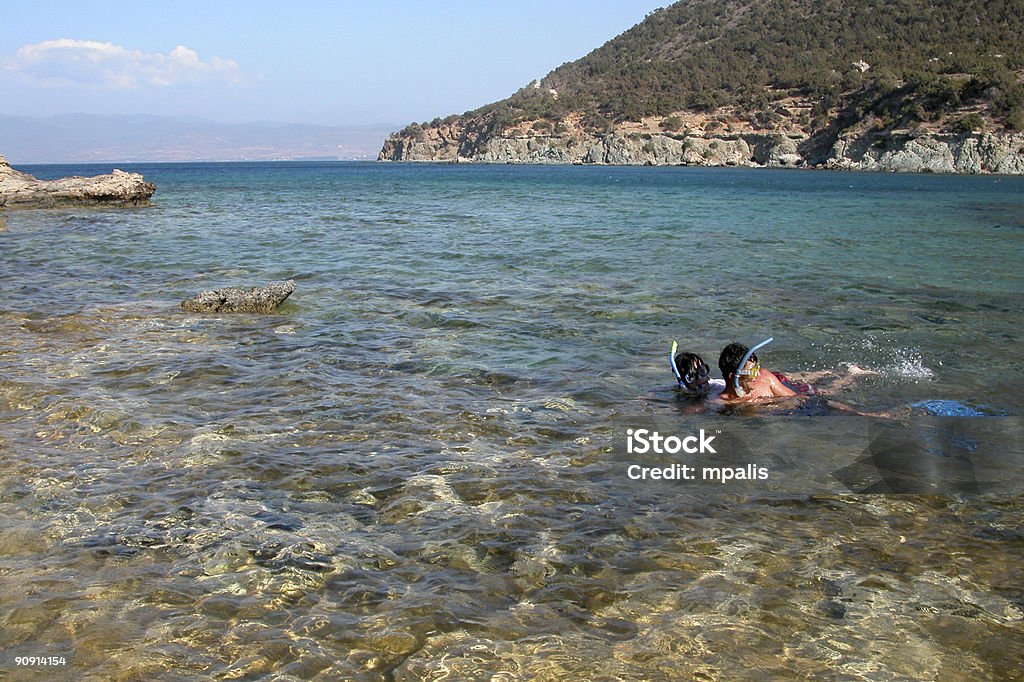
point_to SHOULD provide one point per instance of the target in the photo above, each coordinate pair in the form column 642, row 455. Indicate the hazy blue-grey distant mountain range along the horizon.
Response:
column 82, row 139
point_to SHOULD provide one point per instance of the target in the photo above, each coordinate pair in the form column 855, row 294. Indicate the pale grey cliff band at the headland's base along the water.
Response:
column 940, row 154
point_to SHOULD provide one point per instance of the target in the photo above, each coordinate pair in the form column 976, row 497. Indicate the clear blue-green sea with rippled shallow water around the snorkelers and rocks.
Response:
column 457, row 452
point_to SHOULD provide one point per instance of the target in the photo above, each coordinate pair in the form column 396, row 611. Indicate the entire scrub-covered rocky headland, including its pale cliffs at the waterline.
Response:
column 909, row 86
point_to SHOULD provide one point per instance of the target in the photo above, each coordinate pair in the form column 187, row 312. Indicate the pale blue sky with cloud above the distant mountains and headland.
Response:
column 347, row 63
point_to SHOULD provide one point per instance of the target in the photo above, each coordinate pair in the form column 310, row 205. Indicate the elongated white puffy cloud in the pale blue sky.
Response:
column 68, row 62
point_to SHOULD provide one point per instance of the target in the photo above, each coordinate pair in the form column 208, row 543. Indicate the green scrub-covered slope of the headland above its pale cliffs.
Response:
column 814, row 66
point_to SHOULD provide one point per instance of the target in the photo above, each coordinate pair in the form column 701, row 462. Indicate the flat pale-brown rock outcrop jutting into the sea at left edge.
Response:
column 21, row 191
